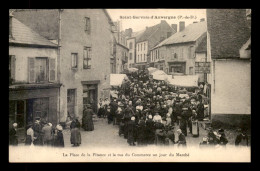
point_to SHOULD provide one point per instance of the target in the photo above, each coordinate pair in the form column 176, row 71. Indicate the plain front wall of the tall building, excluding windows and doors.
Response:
column 73, row 39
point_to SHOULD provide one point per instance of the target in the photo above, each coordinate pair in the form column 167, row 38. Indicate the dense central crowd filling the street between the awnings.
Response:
column 148, row 110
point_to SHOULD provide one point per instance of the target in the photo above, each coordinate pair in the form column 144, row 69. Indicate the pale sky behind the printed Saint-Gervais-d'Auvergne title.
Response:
column 139, row 19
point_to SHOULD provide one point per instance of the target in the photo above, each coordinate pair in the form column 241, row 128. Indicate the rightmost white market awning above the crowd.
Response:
column 184, row 81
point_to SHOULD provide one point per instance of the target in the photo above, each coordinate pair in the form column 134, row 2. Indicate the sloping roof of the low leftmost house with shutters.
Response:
column 22, row 34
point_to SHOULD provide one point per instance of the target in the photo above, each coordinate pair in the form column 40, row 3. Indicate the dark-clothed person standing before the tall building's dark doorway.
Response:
column 87, row 121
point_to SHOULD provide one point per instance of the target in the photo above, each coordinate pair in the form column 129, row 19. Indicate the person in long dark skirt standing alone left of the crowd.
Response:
column 75, row 137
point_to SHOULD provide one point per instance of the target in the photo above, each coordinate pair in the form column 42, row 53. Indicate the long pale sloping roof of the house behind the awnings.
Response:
column 191, row 33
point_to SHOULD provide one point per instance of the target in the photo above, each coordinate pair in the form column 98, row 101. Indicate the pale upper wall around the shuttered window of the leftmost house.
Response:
column 21, row 56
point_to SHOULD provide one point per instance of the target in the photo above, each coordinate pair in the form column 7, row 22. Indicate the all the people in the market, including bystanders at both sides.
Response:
column 145, row 110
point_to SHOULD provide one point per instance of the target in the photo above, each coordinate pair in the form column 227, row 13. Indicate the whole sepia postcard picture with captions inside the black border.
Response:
column 129, row 85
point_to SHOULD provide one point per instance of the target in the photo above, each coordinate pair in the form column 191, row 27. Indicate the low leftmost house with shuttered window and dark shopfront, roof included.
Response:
column 33, row 84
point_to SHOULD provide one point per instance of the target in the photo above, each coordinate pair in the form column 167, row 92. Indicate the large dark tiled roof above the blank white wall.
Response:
column 229, row 35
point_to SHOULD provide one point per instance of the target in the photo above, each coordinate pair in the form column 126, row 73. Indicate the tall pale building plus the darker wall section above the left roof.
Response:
column 84, row 37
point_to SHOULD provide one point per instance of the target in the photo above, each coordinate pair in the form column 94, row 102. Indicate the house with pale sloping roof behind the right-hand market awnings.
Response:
column 176, row 55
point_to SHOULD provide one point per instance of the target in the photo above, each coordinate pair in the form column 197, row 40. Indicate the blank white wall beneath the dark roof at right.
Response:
column 231, row 93
